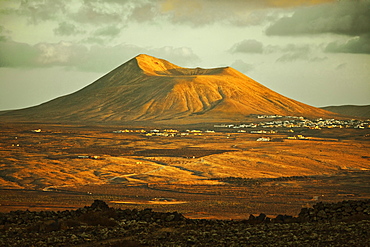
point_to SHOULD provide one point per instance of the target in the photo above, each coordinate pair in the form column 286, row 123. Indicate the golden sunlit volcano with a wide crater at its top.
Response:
column 146, row 88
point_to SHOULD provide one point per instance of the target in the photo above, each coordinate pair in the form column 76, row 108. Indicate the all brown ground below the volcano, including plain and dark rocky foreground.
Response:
column 168, row 191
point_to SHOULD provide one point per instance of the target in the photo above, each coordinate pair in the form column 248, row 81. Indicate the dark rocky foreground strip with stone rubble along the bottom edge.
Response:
column 345, row 223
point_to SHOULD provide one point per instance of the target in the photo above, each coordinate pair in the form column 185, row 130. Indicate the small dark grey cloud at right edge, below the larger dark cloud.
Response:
column 355, row 45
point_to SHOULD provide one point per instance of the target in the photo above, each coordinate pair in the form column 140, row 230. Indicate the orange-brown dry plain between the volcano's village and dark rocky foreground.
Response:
column 213, row 175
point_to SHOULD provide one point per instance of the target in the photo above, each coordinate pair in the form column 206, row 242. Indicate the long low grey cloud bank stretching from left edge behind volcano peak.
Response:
column 76, row 56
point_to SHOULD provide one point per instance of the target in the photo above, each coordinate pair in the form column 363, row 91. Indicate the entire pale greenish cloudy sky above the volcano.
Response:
column 313, row 51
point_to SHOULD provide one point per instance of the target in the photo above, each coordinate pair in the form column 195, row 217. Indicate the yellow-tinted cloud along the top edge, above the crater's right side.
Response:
column 237, row 12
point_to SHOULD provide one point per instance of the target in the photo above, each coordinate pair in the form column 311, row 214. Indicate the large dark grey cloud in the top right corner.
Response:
column 342, row 17
